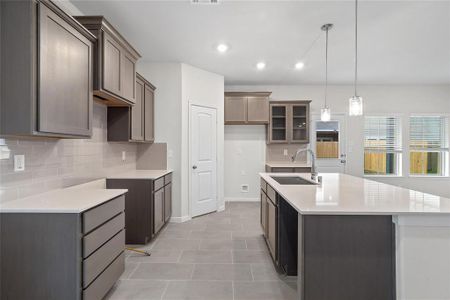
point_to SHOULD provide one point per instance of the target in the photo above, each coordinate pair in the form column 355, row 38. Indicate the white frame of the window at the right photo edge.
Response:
column 445, row 164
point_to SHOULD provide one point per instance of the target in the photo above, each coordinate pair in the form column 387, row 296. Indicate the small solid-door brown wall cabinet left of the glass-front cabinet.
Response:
column 246, row 108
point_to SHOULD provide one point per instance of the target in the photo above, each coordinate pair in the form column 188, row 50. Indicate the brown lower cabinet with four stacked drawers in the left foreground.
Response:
column 54, row 256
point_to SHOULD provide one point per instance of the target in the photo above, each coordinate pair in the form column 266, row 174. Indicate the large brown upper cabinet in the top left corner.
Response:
column 46, row 72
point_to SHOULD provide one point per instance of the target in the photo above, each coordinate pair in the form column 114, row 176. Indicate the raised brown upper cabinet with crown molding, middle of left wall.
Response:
column 114, row 63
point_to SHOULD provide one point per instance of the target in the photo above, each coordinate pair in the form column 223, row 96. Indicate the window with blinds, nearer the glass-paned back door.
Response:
column 382, row 146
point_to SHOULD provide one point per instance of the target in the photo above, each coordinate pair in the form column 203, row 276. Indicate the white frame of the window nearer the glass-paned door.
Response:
column 398, row 153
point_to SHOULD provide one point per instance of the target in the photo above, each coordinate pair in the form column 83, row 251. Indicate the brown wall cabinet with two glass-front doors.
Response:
column 289, row 122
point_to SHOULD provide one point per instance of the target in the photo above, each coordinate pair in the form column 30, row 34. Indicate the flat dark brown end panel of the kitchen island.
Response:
column 347, row 257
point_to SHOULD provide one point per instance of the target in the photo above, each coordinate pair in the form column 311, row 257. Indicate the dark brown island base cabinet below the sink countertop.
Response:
column 337, row 257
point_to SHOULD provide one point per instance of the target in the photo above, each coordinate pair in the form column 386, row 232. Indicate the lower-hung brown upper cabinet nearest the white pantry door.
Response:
column 135, row 123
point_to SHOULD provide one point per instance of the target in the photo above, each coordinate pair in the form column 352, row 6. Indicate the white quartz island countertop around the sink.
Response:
column 342, row 194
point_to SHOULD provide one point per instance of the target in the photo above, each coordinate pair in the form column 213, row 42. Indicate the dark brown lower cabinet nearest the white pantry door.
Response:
column 148, row 206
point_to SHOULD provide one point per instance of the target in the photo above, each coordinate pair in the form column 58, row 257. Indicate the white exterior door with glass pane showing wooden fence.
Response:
column 328, row 142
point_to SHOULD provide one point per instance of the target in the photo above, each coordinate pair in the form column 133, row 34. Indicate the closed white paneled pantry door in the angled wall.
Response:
column 203, row 144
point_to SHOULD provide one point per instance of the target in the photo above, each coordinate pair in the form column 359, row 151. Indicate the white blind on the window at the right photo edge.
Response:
column 428, row 133
